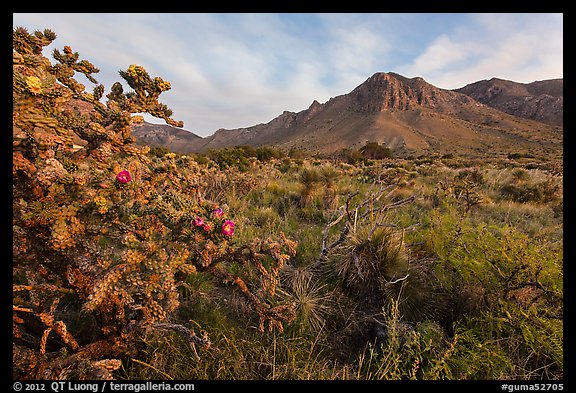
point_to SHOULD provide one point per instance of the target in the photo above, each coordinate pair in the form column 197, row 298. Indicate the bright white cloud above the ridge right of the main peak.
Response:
column 518, row 47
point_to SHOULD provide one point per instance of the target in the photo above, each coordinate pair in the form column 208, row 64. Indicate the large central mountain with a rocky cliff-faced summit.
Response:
column 409, row 115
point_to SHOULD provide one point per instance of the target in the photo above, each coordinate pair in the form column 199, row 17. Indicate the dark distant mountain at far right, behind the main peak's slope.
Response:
column 541, row 100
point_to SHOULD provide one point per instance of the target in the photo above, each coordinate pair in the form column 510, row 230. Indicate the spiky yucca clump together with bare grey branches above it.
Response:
column 365, row 253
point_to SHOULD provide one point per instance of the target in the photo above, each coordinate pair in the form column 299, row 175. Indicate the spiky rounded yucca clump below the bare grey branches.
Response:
column 376, row 266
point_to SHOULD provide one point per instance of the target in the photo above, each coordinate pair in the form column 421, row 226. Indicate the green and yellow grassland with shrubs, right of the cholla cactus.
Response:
column 483, row 299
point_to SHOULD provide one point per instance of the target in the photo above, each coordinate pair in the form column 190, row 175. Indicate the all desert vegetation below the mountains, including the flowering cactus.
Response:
column 136, row 263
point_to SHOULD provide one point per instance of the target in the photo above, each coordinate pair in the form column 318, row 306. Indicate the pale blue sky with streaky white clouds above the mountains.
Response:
column 233, row 70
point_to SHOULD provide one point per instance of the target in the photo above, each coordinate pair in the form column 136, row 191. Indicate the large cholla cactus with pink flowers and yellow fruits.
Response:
column 106, row 227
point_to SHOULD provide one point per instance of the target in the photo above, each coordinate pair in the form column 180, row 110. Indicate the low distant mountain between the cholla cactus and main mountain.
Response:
column 163, row 135
